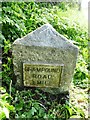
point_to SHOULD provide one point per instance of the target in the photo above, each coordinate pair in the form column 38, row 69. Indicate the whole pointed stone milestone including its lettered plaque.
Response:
column 44, row 59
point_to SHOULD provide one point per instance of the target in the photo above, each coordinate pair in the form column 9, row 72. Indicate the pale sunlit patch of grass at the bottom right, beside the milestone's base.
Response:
column 79, row 99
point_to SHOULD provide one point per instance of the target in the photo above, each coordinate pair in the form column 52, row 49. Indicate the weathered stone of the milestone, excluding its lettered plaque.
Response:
column 45, row 46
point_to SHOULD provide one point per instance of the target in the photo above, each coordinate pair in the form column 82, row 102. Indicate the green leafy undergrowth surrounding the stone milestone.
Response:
column 20, row 18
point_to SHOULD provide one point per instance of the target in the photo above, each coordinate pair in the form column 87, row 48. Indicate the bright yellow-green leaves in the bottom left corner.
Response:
column 5, row 107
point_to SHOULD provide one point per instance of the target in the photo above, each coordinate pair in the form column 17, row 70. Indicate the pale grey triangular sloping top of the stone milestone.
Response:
column 45, row 35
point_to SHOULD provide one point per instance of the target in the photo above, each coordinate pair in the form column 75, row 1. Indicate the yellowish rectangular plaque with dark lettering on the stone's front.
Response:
column 41, row 75
